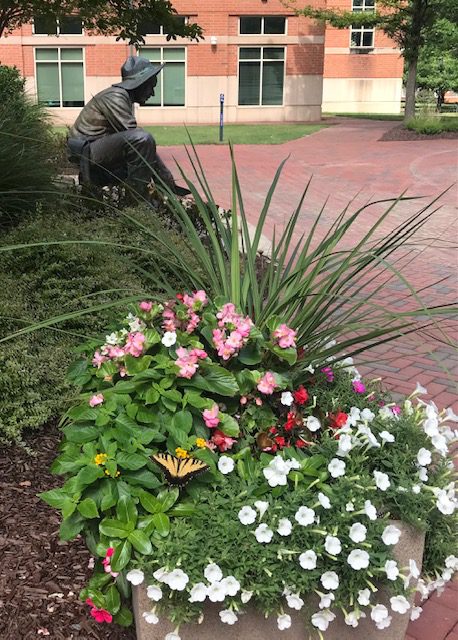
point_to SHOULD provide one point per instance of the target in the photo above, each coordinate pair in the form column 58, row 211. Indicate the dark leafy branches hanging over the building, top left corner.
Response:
column 127, row 19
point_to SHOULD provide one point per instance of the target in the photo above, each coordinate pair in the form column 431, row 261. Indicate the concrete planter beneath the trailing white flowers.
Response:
column 253, row 626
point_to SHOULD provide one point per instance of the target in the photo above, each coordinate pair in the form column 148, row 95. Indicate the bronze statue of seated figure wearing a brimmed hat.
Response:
column 106, row 138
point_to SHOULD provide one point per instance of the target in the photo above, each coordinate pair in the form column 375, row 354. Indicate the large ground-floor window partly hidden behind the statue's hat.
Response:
column 170, row 88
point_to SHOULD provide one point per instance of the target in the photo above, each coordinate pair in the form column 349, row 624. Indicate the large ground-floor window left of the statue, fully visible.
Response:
column 60, row 77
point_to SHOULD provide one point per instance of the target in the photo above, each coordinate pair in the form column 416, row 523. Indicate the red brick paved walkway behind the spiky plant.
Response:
column 348, row 161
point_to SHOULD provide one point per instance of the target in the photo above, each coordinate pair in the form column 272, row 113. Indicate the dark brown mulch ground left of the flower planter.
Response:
column 40, row 576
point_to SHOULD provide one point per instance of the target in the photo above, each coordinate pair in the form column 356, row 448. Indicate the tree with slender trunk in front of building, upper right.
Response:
column 408, row 22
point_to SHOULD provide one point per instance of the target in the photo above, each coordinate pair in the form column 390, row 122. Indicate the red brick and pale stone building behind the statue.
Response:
column 269, row 64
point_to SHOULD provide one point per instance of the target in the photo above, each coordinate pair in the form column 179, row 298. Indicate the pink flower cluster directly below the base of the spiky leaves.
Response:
column 239, row 328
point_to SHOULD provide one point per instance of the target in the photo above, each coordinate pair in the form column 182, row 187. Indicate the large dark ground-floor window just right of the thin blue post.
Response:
column 261, row 75
